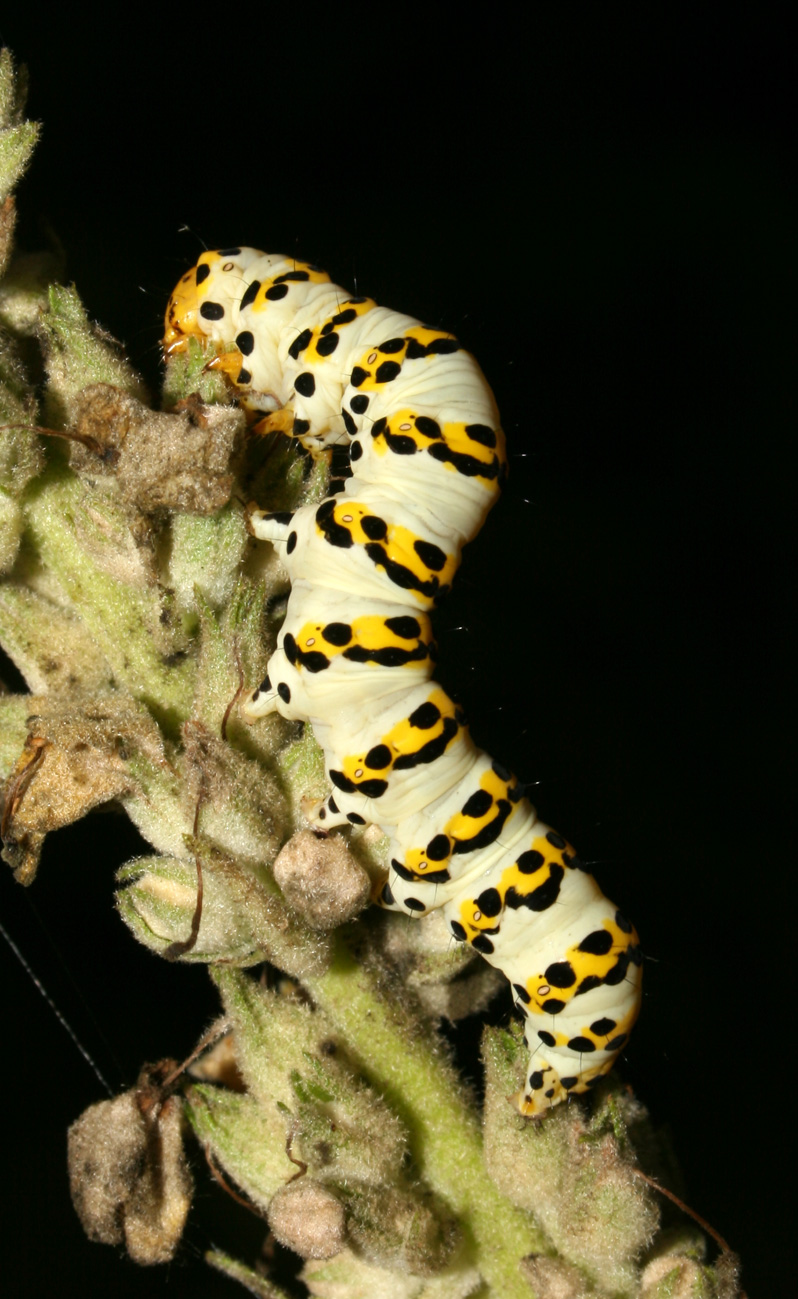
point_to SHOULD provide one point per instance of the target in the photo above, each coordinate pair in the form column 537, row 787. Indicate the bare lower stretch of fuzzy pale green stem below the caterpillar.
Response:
column 419, row 1081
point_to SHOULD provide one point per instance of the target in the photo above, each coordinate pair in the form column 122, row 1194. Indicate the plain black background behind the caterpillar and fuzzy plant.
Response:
column 605, row 215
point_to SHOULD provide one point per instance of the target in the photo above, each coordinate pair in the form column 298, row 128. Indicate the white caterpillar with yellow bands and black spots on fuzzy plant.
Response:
column 355, row 655
